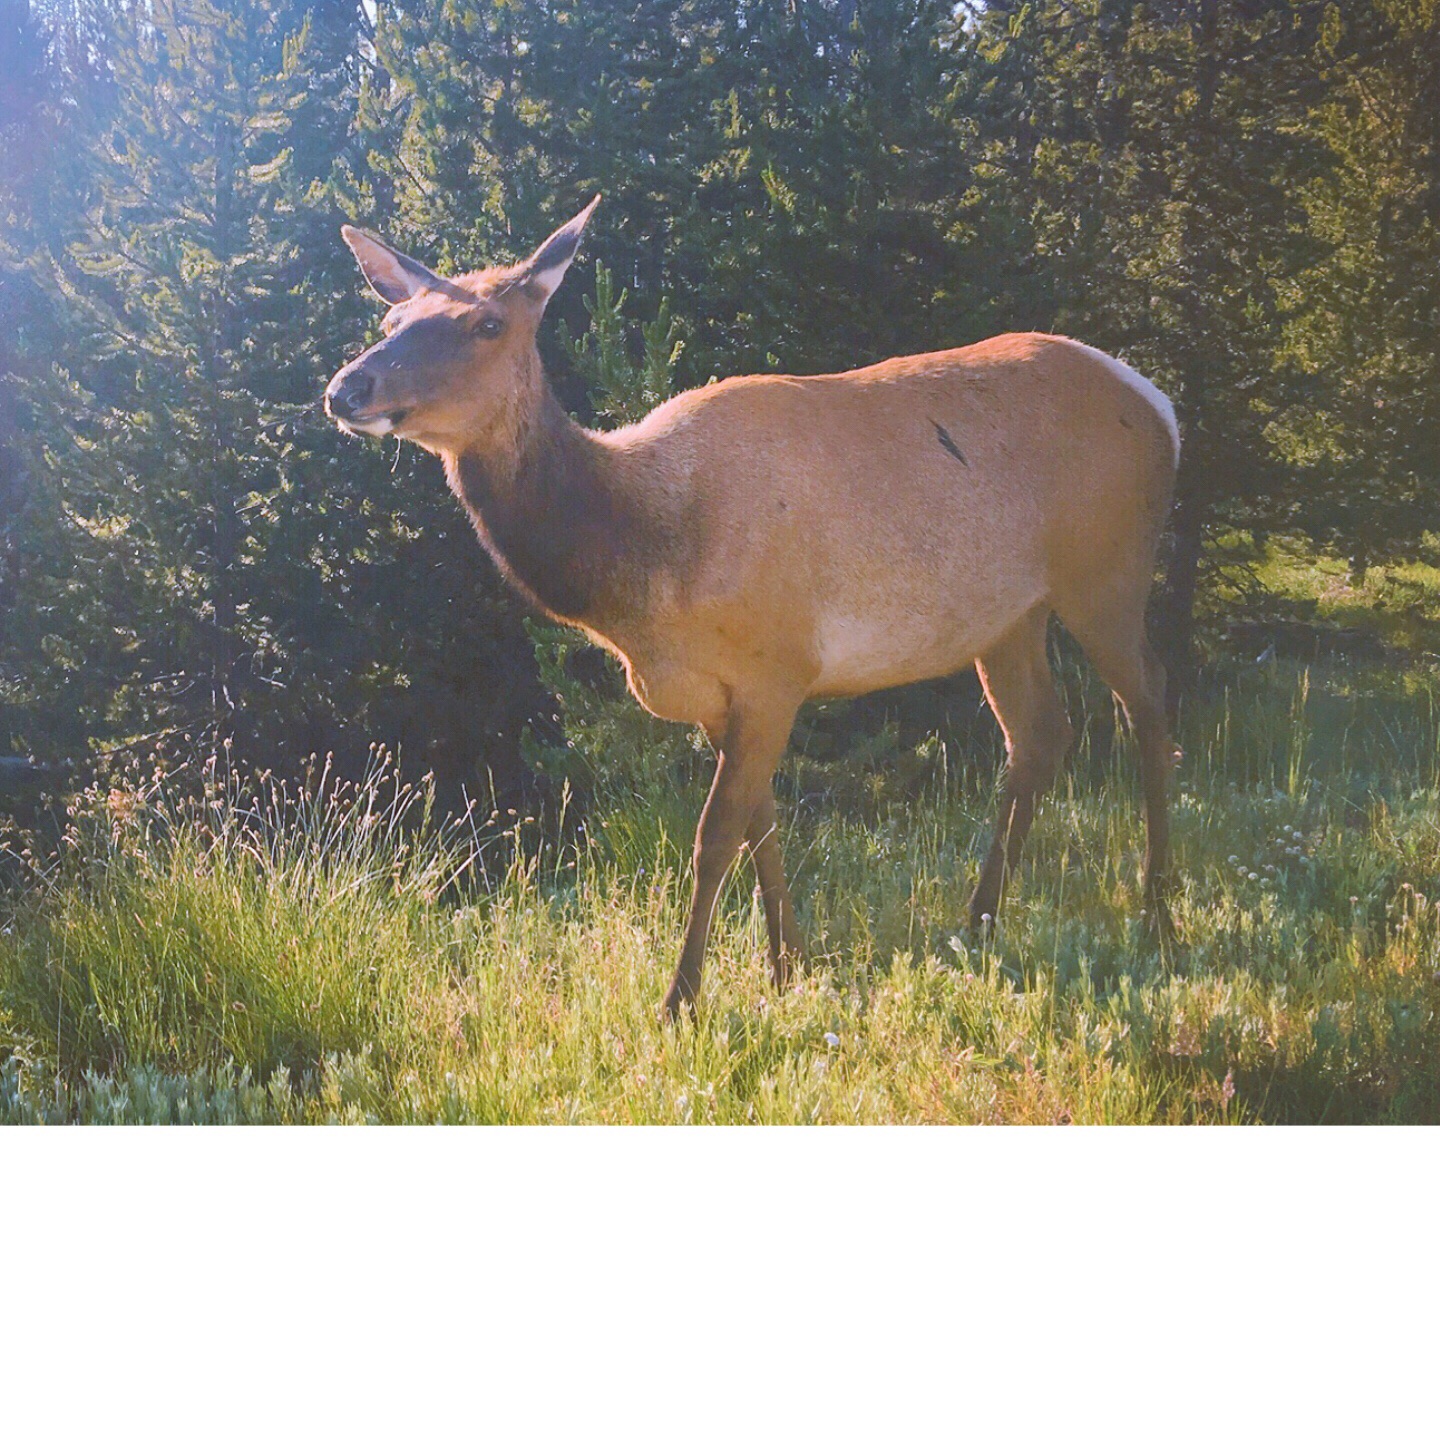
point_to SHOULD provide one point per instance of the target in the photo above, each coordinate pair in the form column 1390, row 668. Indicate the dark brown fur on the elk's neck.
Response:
column 549, row 512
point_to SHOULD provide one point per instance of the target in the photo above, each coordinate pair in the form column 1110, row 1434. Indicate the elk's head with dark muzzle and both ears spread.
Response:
column 459, row 359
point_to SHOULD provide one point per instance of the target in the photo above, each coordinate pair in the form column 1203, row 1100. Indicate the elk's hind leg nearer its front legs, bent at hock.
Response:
column 1022, row 693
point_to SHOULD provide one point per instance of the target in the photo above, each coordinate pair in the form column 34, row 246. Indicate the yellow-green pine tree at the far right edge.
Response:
column 1362, row 320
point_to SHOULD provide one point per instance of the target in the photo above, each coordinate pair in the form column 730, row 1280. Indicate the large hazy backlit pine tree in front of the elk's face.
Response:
column 237, row 570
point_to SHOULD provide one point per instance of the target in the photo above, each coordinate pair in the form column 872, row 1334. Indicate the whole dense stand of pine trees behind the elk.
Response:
column 1242, row 198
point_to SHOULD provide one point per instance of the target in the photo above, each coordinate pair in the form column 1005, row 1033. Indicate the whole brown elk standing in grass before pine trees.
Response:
column 771, row 539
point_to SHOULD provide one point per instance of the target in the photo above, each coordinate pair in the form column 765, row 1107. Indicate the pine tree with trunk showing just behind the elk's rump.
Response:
column 1163, row 149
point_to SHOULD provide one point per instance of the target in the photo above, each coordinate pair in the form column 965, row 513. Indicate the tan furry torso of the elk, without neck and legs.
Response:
column 849, row 551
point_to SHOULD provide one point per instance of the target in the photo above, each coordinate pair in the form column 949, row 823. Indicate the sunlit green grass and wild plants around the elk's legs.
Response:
column 330, row 953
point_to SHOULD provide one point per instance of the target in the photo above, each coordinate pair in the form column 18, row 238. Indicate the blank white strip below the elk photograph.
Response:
column 765, row 1282
